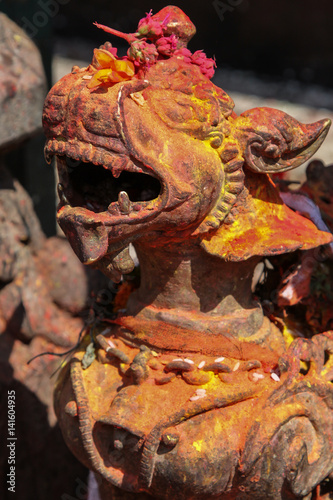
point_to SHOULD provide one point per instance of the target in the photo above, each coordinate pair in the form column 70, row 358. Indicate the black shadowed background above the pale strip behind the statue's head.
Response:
column 277, row 38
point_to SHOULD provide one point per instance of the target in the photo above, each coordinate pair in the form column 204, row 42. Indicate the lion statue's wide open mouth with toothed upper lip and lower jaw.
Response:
column 105, row 197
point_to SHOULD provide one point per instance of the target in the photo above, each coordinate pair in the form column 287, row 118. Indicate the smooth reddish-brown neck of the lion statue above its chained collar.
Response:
column 197, row 291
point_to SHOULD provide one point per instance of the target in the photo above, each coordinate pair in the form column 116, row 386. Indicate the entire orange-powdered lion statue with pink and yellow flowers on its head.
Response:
column 194, row 393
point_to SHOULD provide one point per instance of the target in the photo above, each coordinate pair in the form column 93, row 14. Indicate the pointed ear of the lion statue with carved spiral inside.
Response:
column 272, row 141
